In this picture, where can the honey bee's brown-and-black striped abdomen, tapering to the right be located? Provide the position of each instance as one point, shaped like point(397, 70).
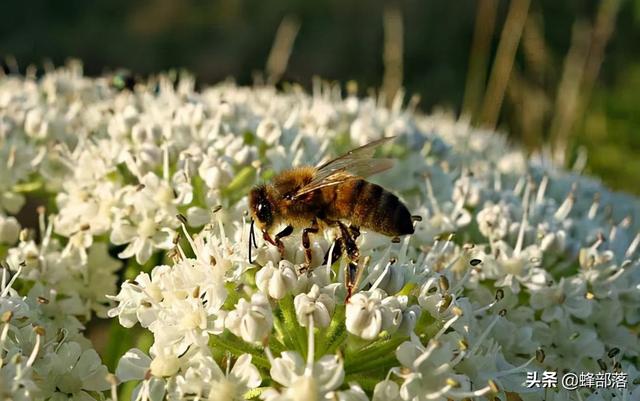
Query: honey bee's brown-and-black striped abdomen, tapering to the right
point(368, 206)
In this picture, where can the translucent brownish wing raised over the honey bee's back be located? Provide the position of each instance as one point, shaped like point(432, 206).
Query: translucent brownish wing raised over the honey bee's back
point(356, 163)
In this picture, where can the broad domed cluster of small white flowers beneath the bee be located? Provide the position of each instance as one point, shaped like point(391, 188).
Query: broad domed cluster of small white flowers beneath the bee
point(516, 265)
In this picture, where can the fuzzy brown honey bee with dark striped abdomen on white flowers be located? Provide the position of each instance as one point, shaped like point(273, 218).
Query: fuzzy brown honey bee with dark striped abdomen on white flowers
point(326, 196)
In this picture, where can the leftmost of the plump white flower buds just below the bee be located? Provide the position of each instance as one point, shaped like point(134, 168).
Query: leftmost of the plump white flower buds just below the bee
point(251, 320)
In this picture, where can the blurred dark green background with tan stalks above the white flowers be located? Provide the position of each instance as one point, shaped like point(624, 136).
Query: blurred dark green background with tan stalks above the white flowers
point(560, 77)
